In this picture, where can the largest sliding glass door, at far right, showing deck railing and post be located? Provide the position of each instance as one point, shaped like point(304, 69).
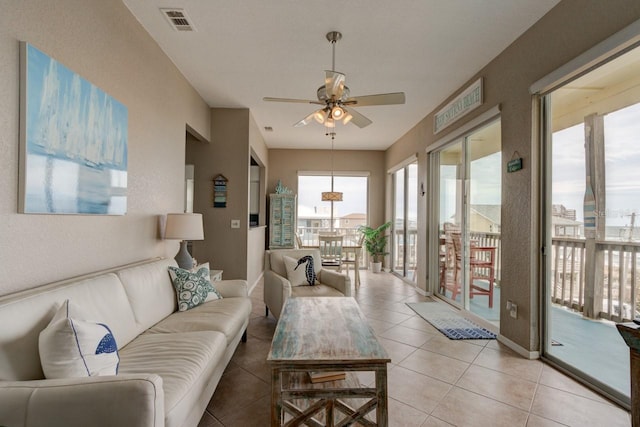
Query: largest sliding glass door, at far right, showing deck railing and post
point(593, 184)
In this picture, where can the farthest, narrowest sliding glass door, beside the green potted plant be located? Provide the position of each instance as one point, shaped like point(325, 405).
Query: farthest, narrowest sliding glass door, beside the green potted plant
point(405, 221)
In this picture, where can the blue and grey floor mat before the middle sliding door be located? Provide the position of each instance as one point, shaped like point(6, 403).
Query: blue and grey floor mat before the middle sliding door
point(450, 323)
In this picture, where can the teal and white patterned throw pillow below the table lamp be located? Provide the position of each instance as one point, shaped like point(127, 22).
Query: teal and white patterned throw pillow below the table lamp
point(192, 288)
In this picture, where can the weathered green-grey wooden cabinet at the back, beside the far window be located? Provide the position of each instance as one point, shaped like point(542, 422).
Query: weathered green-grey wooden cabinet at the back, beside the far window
point(282, 221)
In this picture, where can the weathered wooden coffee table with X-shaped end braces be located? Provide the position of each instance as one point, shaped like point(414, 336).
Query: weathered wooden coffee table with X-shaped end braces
point(325, 334)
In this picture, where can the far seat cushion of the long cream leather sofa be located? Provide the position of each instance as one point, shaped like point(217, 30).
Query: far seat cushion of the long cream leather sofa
point(226, 315)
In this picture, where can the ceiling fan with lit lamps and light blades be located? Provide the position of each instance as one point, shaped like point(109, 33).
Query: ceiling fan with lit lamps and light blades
point(334, 96)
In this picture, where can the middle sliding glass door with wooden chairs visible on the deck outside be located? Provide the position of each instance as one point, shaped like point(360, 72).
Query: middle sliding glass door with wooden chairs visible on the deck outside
point(467, 174)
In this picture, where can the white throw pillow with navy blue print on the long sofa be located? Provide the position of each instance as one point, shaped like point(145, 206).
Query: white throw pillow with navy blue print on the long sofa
point(71, 346)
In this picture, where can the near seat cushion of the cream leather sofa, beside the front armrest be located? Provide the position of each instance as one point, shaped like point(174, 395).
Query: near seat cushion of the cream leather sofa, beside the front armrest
point(185, 361)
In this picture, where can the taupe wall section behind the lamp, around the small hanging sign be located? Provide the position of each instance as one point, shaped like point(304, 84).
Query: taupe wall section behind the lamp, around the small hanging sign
point(234, 137)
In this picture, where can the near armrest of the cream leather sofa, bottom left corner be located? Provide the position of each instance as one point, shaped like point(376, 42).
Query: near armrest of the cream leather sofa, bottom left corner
point(118, 400)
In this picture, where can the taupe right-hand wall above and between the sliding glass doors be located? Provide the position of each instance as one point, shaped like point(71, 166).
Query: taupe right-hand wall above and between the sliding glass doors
point(565, 32)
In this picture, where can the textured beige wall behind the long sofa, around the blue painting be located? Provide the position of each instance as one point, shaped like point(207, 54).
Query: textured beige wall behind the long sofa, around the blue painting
point(103, 42)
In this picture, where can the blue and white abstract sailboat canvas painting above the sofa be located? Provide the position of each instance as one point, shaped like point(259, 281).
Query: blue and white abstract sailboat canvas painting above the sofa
point(73, 141)
